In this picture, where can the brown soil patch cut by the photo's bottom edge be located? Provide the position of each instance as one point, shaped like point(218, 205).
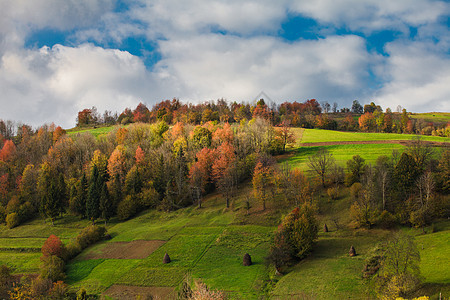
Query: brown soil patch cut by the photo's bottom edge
point(146, 292)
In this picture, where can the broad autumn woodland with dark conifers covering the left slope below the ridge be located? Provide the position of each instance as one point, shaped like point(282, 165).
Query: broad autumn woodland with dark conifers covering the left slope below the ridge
point(130, 169)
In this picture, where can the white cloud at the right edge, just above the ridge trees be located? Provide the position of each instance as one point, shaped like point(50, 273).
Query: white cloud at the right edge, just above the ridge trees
point(417, 78)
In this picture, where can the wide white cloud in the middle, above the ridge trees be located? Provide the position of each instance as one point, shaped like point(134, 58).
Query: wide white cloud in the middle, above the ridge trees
point(214, 66)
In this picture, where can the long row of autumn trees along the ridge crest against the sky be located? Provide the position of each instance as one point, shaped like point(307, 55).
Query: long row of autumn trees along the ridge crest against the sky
point(309, 114)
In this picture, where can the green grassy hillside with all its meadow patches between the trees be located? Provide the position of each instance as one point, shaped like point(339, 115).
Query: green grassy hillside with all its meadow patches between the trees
point(208, 245)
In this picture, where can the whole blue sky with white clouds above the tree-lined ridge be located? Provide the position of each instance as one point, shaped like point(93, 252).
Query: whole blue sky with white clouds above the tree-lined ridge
point(59, 57)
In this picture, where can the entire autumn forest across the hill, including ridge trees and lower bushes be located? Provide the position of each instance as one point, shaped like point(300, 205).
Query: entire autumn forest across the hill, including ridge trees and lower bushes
point(174, 155)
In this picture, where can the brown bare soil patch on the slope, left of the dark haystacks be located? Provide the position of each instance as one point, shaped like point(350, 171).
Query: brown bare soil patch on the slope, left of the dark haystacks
point(127, 250)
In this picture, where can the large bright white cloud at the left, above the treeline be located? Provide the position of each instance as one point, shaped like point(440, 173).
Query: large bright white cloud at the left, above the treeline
point(52, 85)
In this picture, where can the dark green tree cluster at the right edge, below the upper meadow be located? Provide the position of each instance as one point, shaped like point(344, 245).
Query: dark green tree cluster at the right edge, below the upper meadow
point(406, 189)
